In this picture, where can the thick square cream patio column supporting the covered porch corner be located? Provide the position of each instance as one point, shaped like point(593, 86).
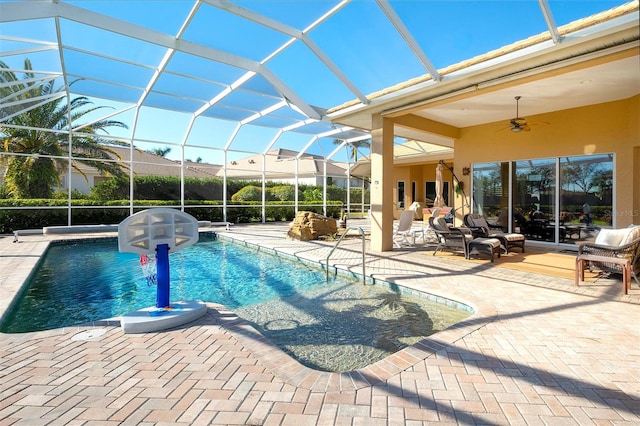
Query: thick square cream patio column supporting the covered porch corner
point(381, 183)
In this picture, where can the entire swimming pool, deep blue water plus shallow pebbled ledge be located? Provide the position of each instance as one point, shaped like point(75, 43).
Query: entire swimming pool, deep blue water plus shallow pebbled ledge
point(338, 325)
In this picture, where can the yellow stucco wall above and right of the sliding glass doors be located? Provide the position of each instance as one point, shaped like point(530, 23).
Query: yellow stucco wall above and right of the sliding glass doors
point(612, 127)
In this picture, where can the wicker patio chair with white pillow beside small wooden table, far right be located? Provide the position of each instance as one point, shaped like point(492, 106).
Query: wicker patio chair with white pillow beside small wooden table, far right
point(622, 245)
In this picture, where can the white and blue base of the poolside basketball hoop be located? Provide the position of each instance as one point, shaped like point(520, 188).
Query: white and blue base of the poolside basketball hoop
point(155, 319)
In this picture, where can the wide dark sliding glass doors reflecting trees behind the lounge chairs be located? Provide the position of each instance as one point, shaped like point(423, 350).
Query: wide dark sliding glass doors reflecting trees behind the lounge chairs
point(548, 197)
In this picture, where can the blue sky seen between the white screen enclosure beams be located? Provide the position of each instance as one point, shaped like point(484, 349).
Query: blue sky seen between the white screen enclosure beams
point(358, 39)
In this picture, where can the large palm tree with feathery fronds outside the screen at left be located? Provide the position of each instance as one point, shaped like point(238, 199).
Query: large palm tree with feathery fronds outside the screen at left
point(38, 157)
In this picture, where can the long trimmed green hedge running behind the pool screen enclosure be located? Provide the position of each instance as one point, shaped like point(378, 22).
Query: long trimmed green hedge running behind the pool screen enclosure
point(150, 191)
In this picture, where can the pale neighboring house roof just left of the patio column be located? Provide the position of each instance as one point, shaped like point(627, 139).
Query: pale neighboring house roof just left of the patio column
point(281, 164)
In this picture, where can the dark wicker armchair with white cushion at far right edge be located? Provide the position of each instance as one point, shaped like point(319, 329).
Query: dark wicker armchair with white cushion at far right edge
point(621, 243)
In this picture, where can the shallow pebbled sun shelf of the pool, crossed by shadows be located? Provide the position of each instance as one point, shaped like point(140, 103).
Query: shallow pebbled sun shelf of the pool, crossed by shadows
point(342, 327)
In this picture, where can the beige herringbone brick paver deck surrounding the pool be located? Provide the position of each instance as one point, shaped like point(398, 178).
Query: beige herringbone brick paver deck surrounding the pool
point(538, 350)
